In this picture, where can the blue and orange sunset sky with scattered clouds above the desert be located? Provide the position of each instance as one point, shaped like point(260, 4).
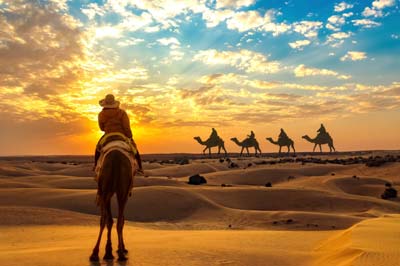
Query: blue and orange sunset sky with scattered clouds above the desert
point(180, 68)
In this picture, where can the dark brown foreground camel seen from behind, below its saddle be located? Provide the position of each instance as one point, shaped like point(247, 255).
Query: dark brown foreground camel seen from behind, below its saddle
point(115, 177)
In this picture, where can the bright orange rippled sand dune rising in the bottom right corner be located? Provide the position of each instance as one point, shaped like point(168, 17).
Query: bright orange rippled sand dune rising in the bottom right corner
point(369, 243)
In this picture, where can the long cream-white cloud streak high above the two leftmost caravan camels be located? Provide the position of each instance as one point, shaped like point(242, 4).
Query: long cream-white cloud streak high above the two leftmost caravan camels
point(246, 60)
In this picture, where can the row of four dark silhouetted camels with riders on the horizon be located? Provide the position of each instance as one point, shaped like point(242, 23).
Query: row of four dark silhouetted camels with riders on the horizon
point(250, 141)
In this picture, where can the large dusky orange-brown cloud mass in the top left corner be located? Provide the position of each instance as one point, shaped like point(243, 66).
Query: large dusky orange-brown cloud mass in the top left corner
point(41, 49)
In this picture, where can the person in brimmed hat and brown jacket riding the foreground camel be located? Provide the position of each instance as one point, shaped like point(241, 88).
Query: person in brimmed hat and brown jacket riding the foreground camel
point(112, 119)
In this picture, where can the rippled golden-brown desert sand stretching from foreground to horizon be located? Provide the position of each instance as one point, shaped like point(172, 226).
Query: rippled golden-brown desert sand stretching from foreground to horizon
point(313, 214)
